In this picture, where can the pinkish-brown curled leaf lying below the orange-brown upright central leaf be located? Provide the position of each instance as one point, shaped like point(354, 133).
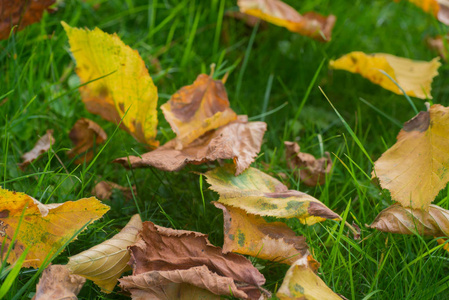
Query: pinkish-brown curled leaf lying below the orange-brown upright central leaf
point(239, 141)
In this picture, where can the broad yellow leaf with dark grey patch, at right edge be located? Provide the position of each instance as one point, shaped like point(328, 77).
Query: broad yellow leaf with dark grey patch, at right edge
point(414, 169)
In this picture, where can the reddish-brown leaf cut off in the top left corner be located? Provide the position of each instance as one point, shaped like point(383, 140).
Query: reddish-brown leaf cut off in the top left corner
point(21, 13)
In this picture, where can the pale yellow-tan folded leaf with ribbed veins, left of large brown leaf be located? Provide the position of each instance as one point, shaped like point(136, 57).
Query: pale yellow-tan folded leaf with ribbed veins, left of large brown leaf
point(105, 262)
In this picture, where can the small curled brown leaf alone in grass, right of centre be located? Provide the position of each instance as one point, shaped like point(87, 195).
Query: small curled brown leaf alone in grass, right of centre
point(312, 171)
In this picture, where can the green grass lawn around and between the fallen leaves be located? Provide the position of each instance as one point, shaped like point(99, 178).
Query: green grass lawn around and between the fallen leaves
point(271, 78)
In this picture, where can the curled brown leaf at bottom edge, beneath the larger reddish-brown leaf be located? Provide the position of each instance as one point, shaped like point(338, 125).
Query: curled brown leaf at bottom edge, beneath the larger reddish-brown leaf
point(191, 284)
